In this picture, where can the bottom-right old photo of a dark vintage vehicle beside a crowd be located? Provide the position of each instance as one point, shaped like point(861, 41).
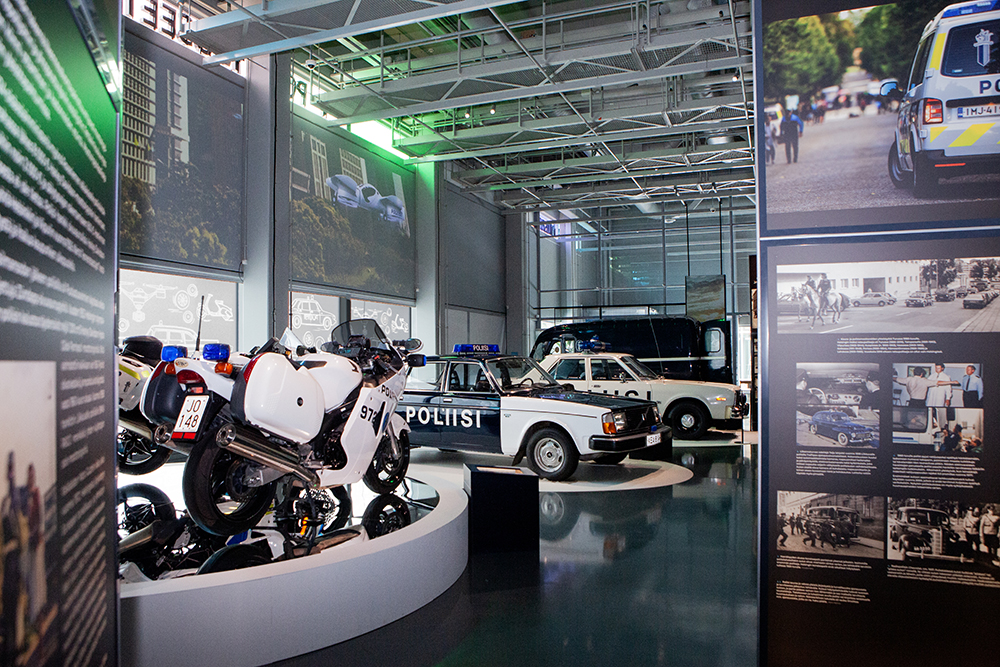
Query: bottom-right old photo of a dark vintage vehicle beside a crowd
point(944, 530)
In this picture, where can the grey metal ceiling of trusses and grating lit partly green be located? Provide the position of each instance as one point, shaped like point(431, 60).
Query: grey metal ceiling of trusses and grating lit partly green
point(541, 103)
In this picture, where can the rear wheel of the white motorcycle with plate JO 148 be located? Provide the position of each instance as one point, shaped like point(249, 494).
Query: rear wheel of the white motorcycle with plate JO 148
point(214, 491)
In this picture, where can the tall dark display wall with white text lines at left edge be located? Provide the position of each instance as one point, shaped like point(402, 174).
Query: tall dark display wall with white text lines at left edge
point(57, 276)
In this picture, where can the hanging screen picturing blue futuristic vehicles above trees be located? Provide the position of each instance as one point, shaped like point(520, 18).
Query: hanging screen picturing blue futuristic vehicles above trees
point(351, 213)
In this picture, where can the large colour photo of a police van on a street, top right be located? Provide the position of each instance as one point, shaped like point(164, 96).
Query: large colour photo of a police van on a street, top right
point(888, 112)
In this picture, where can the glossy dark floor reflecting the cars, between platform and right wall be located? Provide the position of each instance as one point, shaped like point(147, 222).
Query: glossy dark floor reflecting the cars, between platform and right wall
point(648, 577)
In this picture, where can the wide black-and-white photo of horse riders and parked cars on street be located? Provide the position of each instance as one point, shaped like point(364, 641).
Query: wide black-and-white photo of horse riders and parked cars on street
point(894, 296)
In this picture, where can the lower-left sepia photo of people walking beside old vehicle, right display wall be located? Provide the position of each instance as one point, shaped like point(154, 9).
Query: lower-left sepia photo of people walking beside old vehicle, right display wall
point(816, 523)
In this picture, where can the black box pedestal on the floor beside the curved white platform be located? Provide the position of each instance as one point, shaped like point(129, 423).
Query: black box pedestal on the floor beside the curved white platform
point(503, 509)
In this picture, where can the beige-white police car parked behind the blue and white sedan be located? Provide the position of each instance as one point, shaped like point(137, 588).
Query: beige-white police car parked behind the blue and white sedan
point(687, 406)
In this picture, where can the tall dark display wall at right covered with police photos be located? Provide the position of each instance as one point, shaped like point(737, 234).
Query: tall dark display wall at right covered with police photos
point(879, 163)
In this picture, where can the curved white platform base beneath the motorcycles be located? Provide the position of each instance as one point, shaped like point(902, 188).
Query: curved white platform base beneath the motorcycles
point(273, 612)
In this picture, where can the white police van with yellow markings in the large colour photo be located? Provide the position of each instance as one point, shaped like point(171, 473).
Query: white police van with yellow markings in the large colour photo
point(950, 108)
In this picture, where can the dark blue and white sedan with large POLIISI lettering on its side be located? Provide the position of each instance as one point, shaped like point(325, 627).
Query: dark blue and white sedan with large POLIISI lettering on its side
point(481, 401)
